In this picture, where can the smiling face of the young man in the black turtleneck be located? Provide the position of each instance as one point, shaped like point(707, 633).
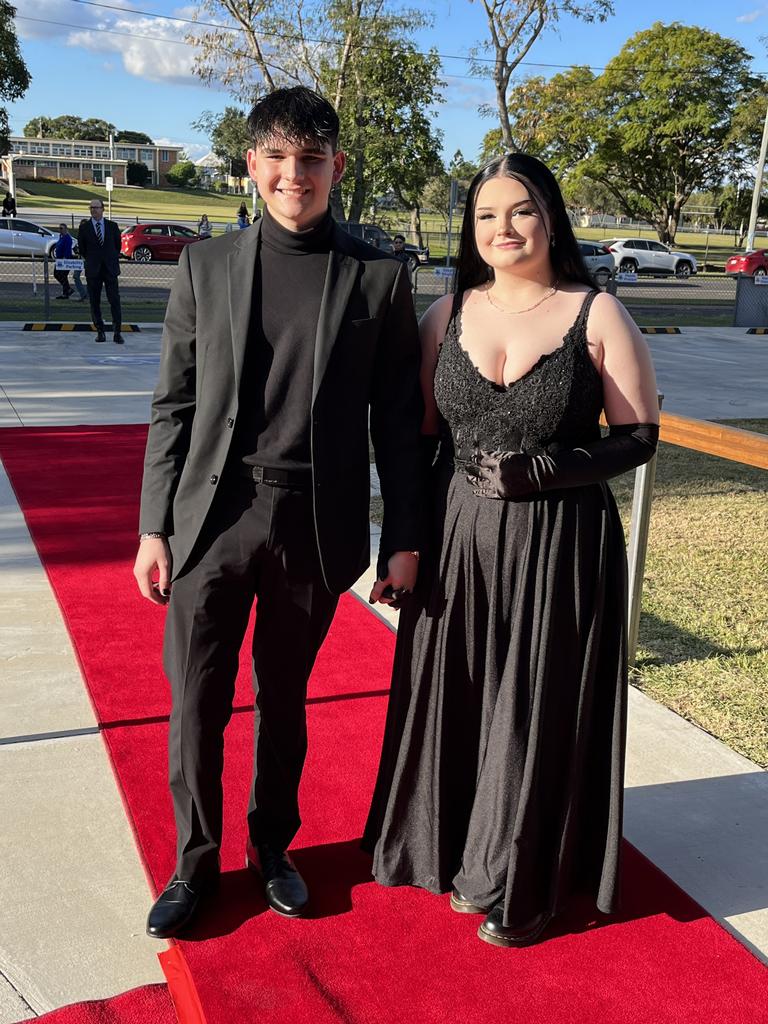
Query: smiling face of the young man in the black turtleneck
point(295, 181)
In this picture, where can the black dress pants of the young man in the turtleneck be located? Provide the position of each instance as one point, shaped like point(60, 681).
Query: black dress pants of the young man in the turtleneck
point(260, 543)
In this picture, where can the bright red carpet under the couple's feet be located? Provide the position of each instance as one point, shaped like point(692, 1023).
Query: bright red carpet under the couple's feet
point(368, 954)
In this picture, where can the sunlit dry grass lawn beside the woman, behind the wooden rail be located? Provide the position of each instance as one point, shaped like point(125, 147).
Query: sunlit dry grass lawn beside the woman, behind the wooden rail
point(704, 632)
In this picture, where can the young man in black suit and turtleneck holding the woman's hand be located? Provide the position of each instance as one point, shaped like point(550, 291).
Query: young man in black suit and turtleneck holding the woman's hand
point(281, 344)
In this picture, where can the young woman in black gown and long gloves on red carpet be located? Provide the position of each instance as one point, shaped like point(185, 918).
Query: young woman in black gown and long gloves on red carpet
point(502, 766)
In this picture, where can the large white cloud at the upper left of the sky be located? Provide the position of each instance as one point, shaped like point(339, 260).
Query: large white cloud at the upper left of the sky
point(164, 58)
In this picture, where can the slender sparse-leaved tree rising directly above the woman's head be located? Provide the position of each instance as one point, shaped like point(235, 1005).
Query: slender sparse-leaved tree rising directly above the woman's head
point(514, 28)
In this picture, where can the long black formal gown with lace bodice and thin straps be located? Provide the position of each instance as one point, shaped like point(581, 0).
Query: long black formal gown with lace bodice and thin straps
point(503, 756)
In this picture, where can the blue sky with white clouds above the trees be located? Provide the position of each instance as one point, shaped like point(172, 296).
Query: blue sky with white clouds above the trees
point(79, 67)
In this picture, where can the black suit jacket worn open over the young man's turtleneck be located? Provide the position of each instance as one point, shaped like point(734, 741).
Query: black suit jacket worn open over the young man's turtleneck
point(366, 370)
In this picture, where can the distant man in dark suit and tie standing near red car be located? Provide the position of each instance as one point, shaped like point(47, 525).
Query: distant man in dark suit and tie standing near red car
point(99, 244)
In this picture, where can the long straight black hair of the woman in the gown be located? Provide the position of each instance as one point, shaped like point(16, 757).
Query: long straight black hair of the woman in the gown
point(566, 255)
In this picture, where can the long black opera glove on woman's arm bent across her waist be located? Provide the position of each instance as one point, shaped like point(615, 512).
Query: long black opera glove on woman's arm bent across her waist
point(511, 476)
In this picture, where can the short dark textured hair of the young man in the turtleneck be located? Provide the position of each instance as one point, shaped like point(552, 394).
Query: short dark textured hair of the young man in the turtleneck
point(297, 115)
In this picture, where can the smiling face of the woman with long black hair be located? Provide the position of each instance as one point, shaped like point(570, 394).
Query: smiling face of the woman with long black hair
point(513, 232)
